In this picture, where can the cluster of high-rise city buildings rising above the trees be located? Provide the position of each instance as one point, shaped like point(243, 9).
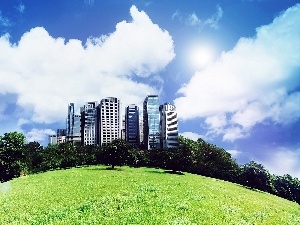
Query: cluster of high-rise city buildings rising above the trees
point(100, 123)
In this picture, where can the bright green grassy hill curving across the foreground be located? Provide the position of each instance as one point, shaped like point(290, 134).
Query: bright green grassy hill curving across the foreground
point(94, 195)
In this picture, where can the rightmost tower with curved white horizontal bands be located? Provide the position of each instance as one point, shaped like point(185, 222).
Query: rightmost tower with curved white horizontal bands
point(168, 126)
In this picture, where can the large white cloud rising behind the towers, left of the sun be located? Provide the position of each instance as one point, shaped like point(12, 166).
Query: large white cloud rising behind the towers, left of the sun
point(47, 73)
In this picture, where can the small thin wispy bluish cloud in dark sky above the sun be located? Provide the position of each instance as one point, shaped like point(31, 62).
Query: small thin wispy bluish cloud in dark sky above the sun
point(194, 21)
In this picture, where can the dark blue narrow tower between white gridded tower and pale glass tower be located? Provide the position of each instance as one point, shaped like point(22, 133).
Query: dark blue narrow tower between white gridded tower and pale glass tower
point(132, 125)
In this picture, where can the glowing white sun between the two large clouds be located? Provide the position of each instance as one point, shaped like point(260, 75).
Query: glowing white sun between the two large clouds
point(200, 56)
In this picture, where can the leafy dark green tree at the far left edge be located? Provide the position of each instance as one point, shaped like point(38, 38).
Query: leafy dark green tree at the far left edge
point(11, 155)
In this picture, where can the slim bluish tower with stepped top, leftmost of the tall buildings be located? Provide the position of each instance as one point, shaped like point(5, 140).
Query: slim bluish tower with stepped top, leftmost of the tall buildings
point(73, 125)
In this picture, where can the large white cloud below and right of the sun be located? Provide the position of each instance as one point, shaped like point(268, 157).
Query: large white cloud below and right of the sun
point(255, 82)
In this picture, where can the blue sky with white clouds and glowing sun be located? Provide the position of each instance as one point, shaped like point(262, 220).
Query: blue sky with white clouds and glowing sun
point(231, 67)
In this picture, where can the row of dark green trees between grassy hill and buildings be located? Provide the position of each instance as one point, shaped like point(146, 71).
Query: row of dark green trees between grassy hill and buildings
point(18, 158)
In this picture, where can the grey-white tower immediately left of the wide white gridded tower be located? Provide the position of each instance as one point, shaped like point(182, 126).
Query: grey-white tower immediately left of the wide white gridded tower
point(89, 128)
